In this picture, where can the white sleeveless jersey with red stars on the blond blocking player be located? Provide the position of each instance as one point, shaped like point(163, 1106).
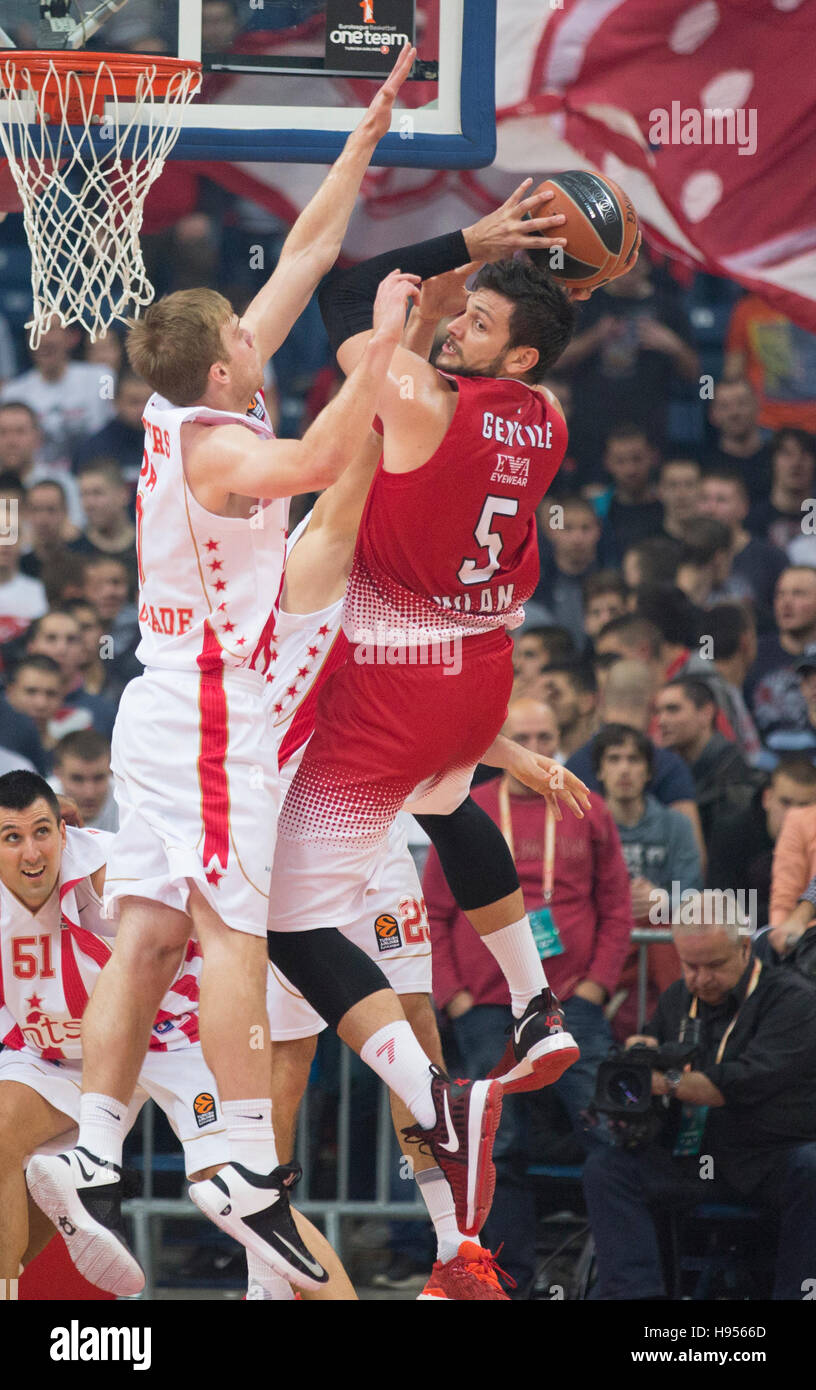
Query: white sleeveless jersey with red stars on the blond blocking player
point(208, 584)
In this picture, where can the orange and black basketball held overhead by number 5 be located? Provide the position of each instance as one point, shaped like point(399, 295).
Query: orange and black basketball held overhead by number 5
point(601, 230)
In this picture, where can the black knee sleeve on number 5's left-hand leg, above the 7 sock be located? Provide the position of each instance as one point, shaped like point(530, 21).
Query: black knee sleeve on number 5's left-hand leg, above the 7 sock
point(329, 970)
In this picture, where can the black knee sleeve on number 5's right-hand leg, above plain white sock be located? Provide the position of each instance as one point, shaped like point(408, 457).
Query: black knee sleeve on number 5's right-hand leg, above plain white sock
point(475, 856)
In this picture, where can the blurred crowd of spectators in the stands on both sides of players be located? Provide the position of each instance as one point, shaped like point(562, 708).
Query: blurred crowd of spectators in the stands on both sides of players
point(668, 657)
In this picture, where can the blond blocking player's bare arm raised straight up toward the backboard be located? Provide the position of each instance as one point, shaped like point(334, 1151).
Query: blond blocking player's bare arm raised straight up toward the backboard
point(316, 238)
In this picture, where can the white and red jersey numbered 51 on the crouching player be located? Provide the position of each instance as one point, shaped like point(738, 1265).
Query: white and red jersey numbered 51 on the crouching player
point(51, 963)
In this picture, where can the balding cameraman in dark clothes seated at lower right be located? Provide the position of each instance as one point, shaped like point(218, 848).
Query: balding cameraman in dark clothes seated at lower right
point(747, 1106)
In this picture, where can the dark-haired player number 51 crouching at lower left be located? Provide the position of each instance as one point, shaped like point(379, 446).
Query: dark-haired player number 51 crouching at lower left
point(54, 943)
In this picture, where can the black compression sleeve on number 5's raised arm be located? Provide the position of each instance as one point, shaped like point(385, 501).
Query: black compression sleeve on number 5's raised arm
point(347, 297)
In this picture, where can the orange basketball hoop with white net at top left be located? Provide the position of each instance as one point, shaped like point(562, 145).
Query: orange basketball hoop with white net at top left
point(83, 174)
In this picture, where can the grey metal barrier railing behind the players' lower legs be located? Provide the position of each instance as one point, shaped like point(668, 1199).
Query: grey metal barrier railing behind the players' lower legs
point(148, 1211)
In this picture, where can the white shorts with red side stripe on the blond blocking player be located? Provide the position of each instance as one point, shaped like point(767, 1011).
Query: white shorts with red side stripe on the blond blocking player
point(198, 789)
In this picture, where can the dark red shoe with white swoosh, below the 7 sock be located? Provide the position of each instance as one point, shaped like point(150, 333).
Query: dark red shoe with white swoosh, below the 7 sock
point(462, 1142)
